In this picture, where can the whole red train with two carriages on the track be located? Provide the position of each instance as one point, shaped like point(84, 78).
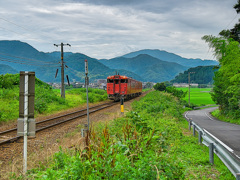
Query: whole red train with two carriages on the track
point(118, 86)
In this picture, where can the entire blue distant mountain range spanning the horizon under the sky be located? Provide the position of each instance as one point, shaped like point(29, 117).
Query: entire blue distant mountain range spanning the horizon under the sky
point(144, 65)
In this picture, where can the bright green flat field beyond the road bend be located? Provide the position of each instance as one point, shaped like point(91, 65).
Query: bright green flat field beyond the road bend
point(199, 96)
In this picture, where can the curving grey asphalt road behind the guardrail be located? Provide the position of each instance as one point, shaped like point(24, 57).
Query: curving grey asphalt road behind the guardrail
point(228, 133)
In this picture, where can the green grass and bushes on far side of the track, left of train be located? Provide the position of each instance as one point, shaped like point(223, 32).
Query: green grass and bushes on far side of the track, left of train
point(47, 100)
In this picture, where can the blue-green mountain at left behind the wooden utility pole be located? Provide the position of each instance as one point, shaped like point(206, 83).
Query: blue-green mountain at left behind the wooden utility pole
point(23, 57)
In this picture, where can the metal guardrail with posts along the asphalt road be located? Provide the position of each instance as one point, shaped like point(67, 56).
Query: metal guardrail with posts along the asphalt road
point(226, 154)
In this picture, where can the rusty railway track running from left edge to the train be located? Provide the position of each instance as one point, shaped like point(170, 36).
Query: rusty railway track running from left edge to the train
point(9, 136)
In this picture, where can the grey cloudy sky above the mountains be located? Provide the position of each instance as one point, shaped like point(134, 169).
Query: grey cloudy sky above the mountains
point(110, 28)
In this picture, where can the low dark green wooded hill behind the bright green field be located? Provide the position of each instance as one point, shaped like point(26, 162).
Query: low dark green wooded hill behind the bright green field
point(201, 75)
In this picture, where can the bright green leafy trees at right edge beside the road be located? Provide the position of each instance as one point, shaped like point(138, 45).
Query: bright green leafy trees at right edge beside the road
point(226, 91)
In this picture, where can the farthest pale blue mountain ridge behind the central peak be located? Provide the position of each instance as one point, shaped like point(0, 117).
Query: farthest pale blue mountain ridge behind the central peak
point(171, 57)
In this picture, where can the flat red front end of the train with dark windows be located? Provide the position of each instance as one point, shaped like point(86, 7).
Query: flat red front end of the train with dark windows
point(116, 86)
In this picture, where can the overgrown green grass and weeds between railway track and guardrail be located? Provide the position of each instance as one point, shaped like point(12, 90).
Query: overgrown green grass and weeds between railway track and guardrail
point(150, 142)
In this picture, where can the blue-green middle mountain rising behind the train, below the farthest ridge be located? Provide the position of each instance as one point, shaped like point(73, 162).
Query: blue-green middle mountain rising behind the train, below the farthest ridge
point(148, 67)
